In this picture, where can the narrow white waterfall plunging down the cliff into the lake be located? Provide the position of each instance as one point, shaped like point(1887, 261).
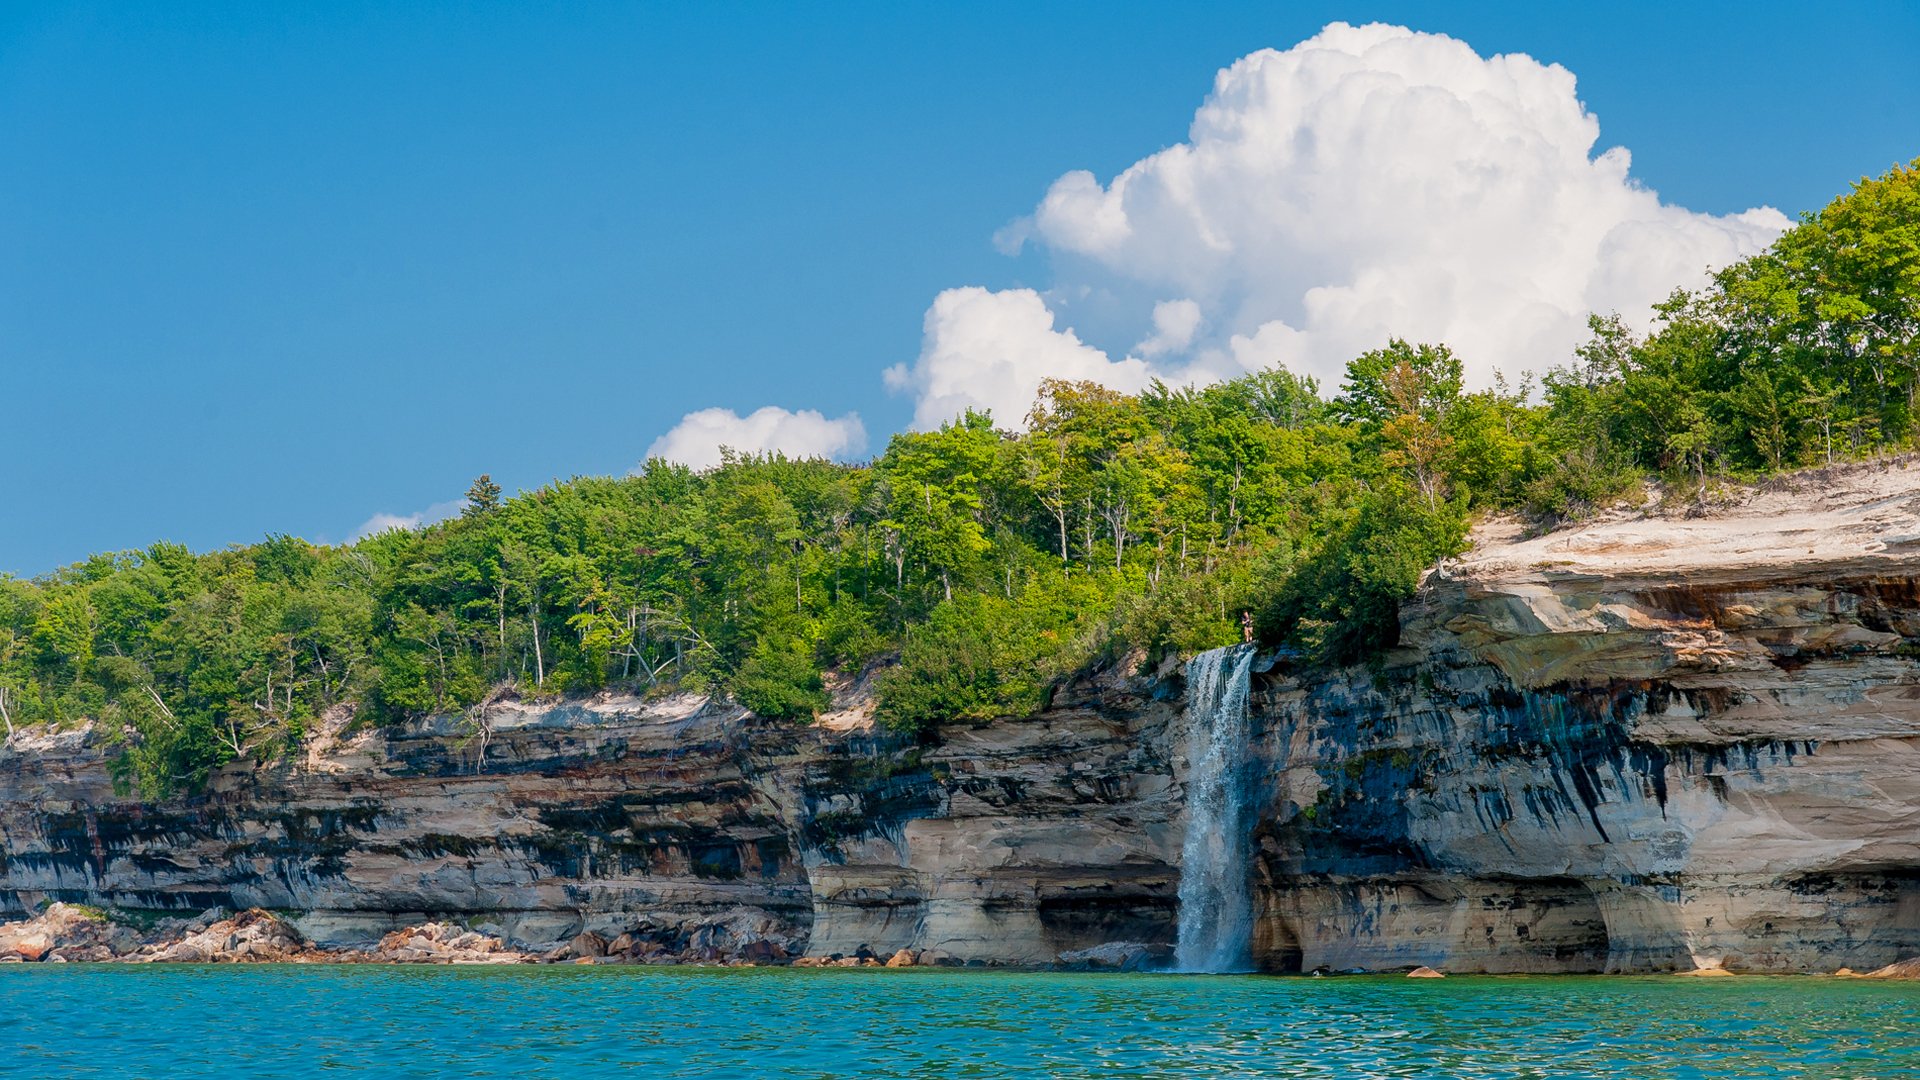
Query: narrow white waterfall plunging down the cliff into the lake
point(1216, 906)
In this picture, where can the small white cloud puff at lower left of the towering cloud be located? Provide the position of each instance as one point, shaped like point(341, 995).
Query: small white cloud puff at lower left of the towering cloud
point(990, 351)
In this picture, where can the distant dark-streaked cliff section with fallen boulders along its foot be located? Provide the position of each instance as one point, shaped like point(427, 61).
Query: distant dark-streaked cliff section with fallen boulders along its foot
point(613, 816)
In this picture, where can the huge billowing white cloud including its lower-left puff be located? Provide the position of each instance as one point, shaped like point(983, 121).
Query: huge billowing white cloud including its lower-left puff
point(1366, 184)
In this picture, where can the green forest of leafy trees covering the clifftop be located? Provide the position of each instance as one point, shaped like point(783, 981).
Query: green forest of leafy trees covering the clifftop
point(984, 564)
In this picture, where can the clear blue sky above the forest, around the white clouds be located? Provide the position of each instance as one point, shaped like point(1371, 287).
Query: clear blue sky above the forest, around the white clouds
point(279, 268)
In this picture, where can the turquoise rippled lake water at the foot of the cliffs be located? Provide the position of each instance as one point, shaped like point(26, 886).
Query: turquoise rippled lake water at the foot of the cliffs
point(577, 1023)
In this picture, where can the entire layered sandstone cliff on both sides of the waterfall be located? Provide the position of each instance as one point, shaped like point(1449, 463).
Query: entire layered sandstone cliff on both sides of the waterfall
point(1646, 745)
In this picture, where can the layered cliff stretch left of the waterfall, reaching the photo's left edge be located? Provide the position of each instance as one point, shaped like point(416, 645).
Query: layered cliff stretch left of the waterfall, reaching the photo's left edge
point(681, 823)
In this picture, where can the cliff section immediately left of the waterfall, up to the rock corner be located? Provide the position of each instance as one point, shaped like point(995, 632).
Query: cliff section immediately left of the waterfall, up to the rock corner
point(1026, 839)
